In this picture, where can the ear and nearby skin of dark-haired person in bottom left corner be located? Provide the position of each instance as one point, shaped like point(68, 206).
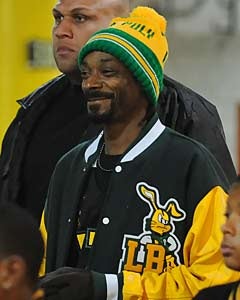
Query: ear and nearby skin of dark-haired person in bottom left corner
point(12, 272)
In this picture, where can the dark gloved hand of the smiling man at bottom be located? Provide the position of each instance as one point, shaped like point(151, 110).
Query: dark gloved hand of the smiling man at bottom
point(67, 283)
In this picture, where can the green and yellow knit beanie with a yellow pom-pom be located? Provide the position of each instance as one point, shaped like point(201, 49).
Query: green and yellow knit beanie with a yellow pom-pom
point(139, 42)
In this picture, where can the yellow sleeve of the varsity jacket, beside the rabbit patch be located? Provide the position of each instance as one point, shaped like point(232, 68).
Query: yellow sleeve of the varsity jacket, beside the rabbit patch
point(203, 263)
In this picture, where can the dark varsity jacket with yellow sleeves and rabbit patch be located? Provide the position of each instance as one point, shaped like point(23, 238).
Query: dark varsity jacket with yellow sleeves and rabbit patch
point(159, 226)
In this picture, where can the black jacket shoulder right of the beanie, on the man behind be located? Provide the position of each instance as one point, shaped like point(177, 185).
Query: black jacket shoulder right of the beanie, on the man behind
point(185, 111)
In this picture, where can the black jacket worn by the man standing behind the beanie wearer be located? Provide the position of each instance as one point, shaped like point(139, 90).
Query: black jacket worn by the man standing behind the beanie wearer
point(53, 119)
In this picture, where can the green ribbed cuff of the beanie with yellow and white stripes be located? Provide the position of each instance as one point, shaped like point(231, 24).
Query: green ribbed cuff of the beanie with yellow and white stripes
point(137, 57)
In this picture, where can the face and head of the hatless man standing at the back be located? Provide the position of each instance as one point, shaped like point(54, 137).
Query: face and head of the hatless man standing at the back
point(75, 22)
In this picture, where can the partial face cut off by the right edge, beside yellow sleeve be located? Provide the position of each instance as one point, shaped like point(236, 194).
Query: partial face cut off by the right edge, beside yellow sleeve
point(231, 230)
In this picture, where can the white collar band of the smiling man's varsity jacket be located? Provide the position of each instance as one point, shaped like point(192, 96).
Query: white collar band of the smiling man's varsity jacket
point(147, 137)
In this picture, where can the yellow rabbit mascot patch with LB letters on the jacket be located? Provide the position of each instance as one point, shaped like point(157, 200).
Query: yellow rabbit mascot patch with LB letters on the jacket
point(156, 248)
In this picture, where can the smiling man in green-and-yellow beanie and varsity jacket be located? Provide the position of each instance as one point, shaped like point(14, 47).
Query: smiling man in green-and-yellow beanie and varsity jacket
point(134, 213)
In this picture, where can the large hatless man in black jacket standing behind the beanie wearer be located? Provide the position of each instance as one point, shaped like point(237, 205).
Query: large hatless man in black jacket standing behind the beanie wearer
point(53, 119)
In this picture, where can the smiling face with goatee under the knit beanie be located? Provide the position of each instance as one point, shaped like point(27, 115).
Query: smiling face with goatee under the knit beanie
point(113, 95)
